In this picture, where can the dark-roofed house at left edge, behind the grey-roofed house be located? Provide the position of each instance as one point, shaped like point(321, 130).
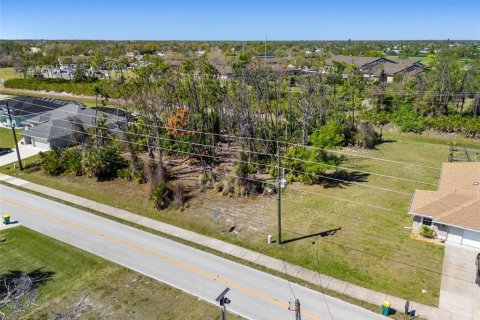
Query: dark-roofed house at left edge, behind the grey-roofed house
point(24, 108)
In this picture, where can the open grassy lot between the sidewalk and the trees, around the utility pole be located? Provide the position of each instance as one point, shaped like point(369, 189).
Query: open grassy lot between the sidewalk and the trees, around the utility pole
point(373, 248)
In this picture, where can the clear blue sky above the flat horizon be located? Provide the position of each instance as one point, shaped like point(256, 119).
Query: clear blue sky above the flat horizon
point(239, 20)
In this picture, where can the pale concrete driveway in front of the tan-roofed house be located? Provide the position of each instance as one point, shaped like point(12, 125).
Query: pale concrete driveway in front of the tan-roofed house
point(458, 292)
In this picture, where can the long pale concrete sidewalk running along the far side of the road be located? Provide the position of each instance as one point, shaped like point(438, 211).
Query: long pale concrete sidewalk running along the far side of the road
point(354, 291)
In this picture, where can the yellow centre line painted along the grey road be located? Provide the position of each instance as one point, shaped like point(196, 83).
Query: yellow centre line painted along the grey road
point(172, 261)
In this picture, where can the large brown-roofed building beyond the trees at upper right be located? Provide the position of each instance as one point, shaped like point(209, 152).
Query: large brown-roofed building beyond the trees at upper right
point(376, 68)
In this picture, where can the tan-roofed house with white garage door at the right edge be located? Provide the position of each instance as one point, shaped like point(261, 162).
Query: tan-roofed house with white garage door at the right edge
point(453, 211)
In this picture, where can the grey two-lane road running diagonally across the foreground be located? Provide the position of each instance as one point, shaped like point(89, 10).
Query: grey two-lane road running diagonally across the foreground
point(253, 294)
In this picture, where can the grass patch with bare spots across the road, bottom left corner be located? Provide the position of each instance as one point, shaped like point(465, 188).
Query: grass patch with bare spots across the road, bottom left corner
point(112, 291)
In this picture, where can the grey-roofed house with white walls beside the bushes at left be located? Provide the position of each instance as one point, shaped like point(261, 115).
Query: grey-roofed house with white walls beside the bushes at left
point(64, 126)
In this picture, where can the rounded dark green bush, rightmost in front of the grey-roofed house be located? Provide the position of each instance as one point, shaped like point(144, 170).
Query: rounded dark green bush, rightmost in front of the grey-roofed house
point(102, 163)
